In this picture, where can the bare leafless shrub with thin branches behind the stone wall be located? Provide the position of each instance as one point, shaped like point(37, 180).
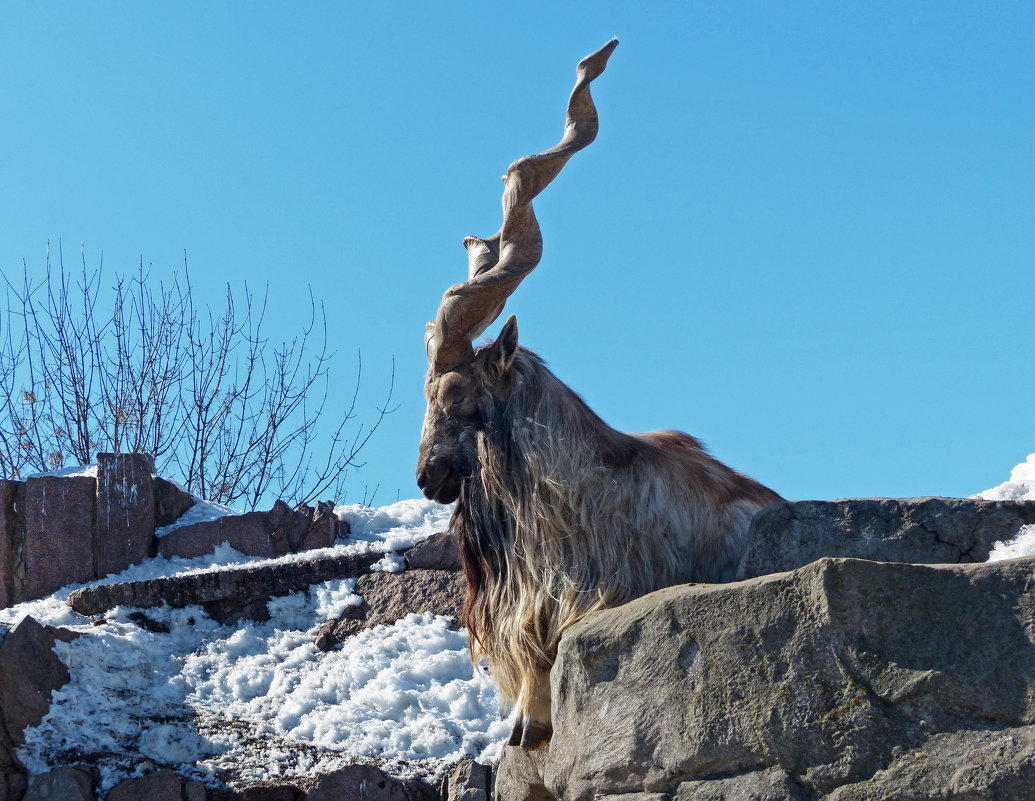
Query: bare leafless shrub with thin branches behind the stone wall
point(234, 417)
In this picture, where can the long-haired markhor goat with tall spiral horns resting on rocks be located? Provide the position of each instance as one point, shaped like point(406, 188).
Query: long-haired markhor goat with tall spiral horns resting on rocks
point(558, 515)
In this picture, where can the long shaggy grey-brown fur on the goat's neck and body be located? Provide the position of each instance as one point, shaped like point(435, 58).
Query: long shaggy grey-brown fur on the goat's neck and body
point(566, 516)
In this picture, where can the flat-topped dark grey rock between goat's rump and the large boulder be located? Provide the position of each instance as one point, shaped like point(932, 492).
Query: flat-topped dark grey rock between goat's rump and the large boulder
point(788, 536)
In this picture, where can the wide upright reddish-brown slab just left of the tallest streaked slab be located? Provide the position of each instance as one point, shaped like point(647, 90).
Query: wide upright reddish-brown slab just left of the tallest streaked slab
point(60, 526)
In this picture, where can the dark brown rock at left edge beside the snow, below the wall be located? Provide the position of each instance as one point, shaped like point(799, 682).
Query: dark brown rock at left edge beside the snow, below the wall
point(29, 673)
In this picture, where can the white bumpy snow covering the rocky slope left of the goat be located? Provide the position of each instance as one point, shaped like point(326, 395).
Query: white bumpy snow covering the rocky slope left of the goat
point(259, 701)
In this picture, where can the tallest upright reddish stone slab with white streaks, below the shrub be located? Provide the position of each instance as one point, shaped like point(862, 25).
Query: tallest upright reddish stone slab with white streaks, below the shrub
point(125, 530)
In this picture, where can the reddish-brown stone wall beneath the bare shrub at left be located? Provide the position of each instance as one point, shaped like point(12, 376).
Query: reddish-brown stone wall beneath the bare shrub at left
point(61, 530)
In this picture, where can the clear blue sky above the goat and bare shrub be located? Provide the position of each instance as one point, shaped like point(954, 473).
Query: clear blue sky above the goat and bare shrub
point(806, 233)
